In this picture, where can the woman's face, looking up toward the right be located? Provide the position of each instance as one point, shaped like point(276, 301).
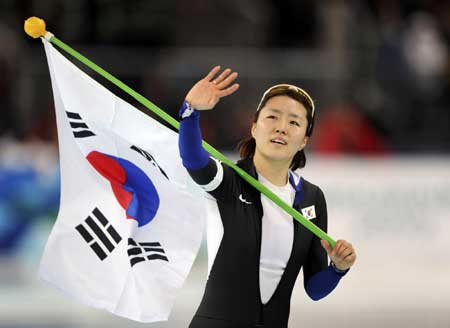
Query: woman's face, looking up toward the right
point(280, 129)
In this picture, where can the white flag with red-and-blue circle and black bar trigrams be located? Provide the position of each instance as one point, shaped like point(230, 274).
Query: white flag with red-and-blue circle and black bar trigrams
point(129, 227)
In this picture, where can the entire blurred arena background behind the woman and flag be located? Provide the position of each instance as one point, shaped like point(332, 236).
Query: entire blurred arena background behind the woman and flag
point(379, 72)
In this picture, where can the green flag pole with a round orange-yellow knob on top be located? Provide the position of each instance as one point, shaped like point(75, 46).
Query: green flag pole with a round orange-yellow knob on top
point(35, 27)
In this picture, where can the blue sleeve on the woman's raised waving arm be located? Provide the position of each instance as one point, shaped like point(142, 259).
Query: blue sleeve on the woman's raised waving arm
point(193, 155)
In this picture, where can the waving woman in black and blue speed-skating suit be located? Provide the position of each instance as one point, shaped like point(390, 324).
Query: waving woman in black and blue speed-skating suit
point(262, 249)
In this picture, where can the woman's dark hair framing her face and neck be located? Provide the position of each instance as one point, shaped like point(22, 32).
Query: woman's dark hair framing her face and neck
point(247, 146)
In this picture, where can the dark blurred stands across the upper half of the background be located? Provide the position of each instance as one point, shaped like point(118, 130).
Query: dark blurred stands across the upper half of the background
point(396, 52)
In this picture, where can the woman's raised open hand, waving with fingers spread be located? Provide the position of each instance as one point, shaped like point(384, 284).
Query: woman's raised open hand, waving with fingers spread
point(206, 93)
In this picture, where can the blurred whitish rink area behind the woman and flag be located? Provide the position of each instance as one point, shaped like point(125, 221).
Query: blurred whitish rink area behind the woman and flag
point(394, 210)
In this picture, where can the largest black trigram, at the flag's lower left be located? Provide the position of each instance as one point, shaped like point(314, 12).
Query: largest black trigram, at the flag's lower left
point(99, 236)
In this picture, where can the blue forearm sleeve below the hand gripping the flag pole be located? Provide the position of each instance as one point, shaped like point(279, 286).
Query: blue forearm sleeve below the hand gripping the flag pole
point(323, 282)
